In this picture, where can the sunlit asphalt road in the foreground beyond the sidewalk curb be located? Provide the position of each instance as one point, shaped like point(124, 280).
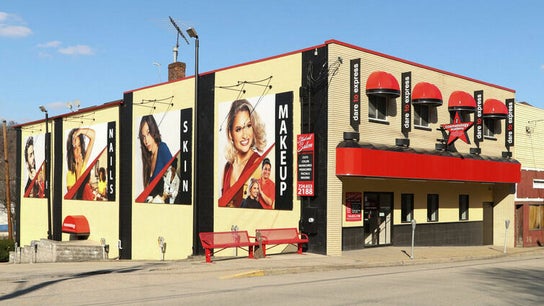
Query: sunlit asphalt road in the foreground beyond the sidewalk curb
point(499, 281)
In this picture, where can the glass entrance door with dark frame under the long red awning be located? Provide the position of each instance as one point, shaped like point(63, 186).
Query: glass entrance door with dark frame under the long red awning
point(378, 207)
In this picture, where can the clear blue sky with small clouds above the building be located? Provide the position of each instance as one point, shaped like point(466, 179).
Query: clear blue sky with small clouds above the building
point(55, 52)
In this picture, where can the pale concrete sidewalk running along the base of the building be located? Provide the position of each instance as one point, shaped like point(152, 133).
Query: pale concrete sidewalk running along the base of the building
point(285, 263)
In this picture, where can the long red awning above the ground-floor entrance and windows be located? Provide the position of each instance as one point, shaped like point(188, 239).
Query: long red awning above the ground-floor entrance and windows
point(369, 162)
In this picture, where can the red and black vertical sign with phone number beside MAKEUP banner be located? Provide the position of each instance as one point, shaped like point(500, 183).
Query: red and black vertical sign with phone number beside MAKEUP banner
point(305, 157)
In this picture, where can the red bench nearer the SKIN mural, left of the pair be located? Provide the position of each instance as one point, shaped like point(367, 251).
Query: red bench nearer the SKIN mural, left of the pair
point(223, 240)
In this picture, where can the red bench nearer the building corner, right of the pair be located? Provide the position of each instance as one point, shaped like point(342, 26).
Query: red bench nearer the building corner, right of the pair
point(277, 236)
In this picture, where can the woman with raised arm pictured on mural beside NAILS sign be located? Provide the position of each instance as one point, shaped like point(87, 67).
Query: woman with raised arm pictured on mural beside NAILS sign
point(77, 157)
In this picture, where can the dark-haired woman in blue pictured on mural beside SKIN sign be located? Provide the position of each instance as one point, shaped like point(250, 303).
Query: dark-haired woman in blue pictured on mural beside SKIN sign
point(155, 153)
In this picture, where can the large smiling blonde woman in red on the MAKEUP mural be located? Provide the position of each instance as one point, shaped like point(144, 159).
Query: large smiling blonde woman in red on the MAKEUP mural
point(246, 142)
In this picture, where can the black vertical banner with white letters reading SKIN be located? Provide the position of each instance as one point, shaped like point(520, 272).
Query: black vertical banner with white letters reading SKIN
point(185, 157)
